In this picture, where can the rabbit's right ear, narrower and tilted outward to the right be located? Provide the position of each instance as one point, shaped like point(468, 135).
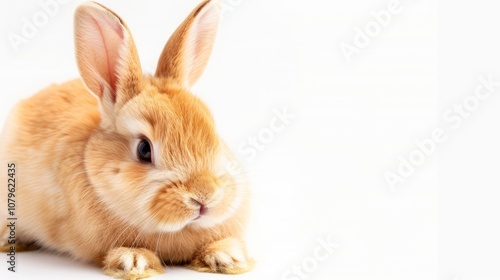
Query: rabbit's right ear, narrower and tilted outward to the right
point(186, 53)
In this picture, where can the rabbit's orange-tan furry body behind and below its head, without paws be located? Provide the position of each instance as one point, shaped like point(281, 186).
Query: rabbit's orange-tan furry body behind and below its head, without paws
point(52, 182)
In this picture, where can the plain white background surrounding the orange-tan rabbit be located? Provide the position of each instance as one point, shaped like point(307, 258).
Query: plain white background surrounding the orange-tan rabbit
point(323, 175)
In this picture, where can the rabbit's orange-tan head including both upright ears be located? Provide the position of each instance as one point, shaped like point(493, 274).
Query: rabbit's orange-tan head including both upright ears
point(156, 161)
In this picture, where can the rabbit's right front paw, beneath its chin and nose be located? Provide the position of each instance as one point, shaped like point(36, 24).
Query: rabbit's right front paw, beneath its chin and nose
point(226, 256)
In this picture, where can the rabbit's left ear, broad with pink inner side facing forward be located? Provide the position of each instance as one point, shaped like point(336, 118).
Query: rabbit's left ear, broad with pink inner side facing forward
point(106, 55)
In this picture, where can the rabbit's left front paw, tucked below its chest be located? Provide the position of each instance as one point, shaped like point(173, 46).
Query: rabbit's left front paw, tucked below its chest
point(132, 263)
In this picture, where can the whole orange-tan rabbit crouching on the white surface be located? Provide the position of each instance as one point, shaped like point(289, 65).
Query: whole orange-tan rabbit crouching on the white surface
point(124, 169)
